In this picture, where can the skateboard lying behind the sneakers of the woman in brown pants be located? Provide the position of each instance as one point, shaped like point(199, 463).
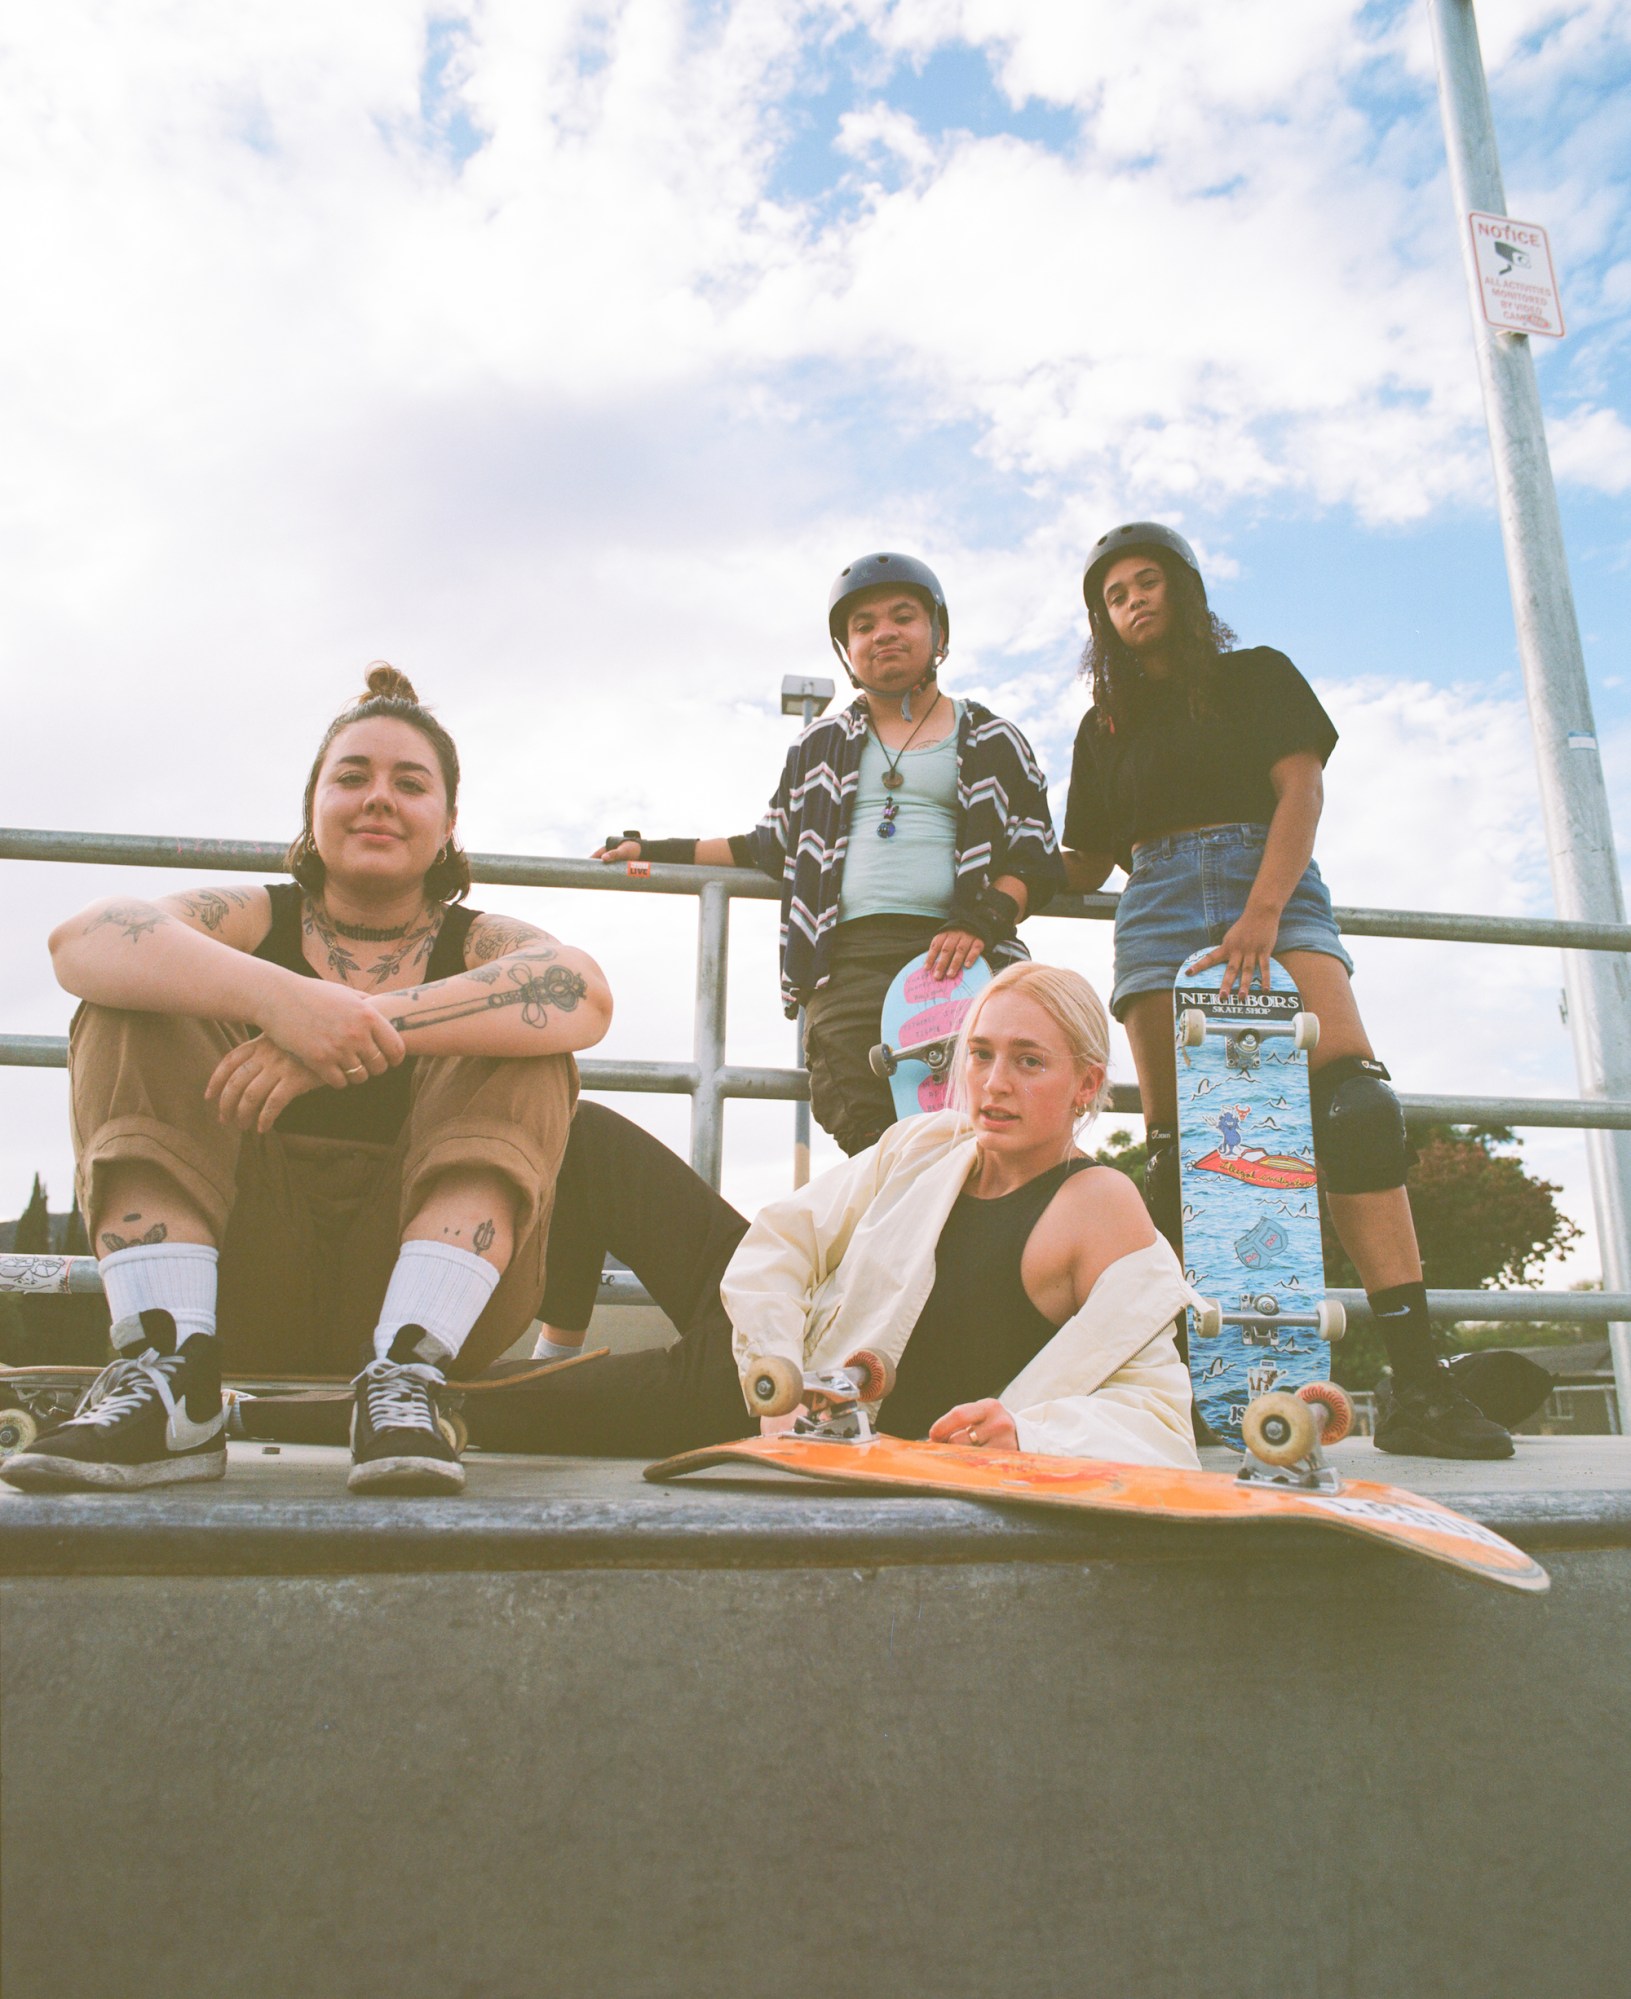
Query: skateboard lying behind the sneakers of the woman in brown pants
point(273, 1408)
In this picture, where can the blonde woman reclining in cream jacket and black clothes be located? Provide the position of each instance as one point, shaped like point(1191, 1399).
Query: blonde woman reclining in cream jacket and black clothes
point(1022, 1290)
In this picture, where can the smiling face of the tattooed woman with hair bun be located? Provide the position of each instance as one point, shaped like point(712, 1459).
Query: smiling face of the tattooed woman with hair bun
point(381, 807)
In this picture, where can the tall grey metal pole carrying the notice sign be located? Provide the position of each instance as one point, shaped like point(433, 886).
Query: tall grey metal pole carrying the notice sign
point(1574, 797)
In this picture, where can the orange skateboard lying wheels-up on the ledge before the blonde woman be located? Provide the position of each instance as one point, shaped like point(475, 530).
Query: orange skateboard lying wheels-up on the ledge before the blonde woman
point(1284, 1476)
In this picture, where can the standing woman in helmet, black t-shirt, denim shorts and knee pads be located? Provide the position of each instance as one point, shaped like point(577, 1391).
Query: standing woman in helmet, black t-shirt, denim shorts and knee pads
point(1200, 771)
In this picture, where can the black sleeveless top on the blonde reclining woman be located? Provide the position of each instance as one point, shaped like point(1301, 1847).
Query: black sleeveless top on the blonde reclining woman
point(978, 1326)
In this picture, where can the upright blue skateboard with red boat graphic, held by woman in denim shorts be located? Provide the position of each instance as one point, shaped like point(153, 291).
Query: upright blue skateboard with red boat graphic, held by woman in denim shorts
point(1250, 1198)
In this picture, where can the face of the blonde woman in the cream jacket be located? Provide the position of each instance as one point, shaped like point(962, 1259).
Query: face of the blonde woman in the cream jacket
point(1022, 1080)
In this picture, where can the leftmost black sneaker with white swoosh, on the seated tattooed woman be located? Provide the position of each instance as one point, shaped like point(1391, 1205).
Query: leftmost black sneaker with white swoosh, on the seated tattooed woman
point(151, 1418)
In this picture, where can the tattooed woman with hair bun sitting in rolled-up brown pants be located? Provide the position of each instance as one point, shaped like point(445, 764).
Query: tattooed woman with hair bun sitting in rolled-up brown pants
point(315, 1122)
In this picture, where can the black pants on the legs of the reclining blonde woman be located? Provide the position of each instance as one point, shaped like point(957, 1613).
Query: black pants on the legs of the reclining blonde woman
point(625, 1192)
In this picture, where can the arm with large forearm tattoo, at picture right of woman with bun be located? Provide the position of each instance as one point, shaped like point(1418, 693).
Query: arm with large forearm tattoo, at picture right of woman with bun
point(523, 995)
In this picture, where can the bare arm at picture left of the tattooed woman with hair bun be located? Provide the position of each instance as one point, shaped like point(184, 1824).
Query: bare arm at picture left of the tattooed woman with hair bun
point(191, 955)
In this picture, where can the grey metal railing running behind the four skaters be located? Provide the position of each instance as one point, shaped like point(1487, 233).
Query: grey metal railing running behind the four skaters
point(709, 1080)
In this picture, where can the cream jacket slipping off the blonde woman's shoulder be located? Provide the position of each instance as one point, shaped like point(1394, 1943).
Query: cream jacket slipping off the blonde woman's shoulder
point(850, 1262)
